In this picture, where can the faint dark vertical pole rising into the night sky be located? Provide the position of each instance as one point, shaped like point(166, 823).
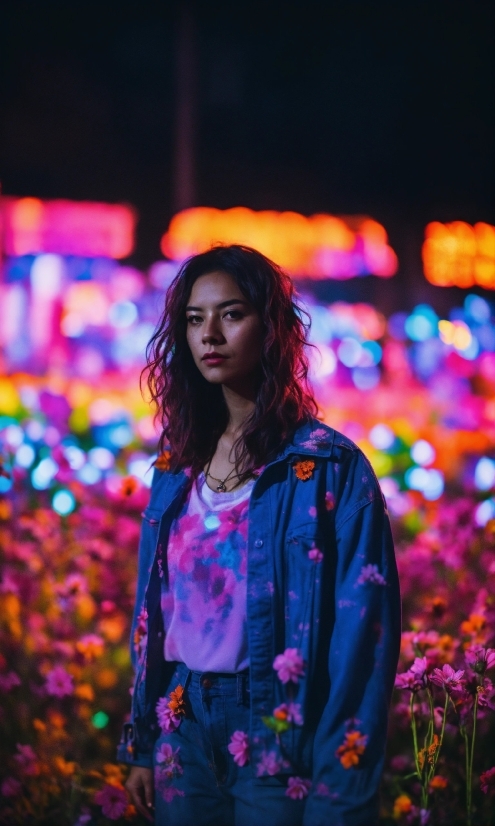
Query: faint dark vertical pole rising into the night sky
point(184, 155)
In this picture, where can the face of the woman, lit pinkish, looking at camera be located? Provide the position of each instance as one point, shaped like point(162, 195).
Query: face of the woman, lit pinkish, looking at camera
point(224, 332)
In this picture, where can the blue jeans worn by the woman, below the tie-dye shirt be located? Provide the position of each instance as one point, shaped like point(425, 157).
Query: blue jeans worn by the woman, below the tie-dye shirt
point(197, 782)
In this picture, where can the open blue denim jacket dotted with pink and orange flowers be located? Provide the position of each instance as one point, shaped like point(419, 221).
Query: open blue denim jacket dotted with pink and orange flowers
point(338, 606)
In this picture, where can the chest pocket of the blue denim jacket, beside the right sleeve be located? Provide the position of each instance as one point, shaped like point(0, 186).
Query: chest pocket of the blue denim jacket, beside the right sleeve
point(303, 559)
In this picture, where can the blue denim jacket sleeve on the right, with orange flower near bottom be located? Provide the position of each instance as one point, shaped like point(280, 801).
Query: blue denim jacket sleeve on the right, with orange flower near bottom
point(350, 739)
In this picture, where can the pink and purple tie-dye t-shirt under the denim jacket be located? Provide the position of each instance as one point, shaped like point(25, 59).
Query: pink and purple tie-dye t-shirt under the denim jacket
point(204, 606)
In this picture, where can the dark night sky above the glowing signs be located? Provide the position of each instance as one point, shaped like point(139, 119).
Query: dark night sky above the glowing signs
point(383, 108)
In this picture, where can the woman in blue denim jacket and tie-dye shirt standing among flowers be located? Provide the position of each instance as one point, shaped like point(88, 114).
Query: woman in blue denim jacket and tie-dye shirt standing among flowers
point(266, 630)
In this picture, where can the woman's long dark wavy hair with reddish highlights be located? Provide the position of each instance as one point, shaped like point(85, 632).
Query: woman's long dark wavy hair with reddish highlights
point(192, 411)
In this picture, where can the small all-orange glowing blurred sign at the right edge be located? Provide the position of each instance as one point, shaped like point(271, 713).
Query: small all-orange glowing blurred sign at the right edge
point(460, 255)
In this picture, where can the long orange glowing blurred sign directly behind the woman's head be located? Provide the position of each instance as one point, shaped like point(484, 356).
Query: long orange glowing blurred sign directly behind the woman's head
point(321, 246)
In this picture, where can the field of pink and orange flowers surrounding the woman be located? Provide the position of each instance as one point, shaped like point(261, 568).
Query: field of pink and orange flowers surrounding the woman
point(74, 477)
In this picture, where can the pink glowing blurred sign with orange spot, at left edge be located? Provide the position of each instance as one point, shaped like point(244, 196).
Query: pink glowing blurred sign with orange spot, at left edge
point(91, 230)
